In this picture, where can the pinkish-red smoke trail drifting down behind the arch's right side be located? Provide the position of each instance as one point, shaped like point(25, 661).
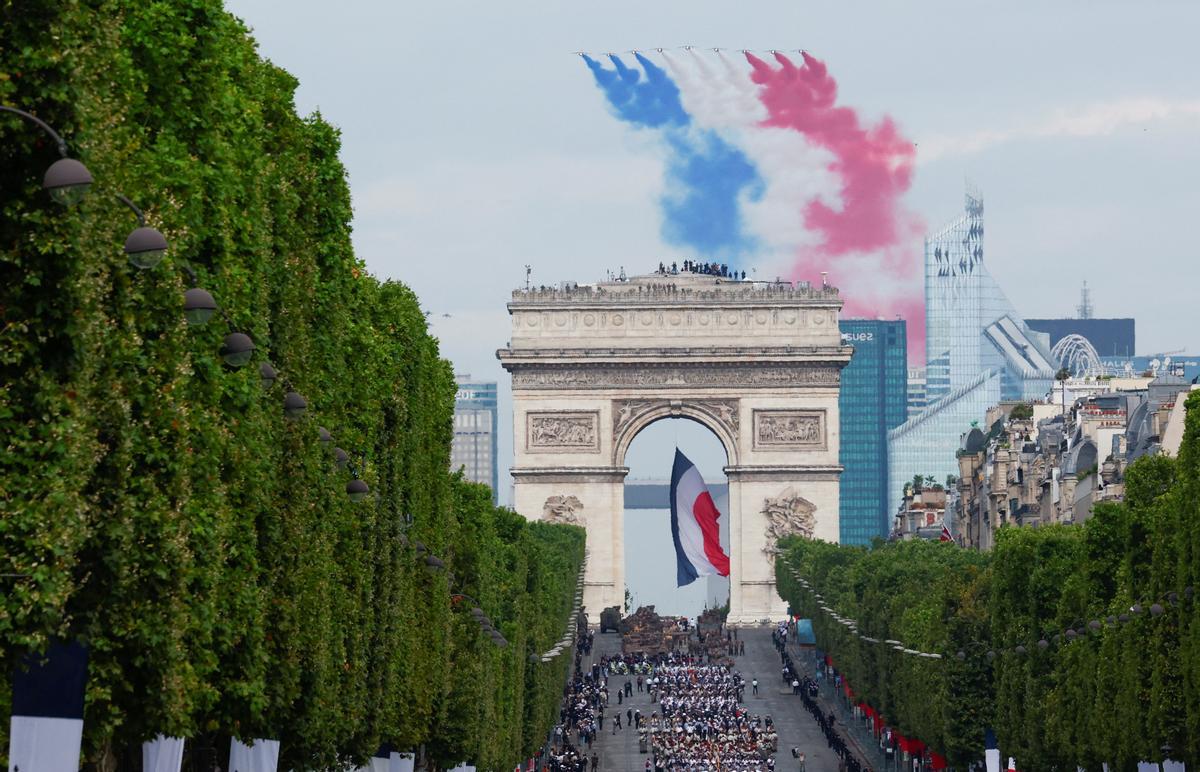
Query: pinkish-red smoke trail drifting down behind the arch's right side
point(875, 166)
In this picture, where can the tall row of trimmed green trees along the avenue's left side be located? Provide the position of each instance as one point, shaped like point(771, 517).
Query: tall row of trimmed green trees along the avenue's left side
point(158, 506)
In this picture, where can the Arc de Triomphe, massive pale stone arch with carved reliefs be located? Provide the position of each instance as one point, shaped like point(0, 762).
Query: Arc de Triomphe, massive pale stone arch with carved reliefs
point(759, 364)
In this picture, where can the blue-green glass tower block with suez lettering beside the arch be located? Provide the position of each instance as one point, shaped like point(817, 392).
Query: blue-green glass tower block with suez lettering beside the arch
point(874, 399)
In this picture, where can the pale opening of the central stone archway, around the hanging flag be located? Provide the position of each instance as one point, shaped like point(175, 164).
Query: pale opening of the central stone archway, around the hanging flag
point(650, 549)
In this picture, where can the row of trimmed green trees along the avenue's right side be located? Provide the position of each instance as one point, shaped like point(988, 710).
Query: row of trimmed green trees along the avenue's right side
point(1076, 693)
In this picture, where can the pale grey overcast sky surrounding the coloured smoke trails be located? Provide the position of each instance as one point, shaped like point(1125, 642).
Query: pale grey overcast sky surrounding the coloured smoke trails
point(477, 143)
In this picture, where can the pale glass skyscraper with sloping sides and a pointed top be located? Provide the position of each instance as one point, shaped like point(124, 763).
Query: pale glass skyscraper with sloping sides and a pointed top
point(979, 350)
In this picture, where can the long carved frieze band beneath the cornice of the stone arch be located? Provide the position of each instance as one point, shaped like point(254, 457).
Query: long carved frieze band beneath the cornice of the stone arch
point(673, 376)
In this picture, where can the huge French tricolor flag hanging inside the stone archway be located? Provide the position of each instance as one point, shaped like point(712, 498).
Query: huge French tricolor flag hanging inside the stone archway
point(694, 525)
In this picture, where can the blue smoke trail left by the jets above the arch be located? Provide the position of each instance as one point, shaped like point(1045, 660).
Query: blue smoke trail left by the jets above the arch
point(706, 176)
